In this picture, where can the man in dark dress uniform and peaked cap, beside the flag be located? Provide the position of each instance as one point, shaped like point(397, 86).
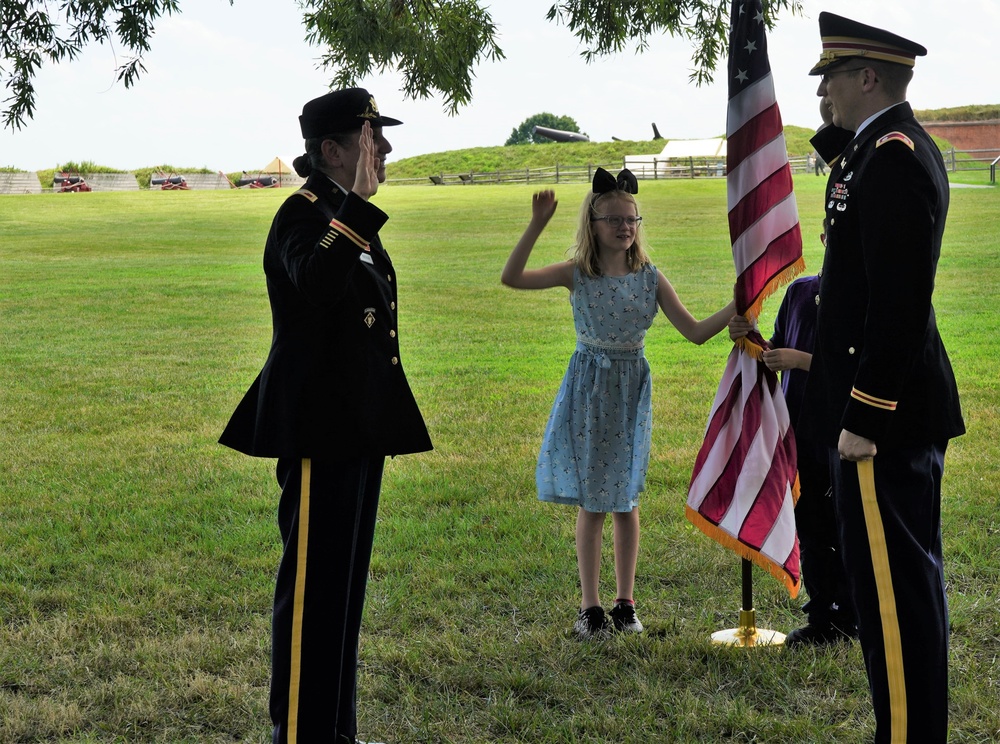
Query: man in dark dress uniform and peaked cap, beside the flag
point(881, 392)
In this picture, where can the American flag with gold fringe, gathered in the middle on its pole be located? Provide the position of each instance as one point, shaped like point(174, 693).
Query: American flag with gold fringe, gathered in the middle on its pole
point(743, 487)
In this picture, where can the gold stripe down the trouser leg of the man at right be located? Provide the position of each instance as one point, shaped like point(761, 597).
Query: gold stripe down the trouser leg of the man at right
point(886, 603)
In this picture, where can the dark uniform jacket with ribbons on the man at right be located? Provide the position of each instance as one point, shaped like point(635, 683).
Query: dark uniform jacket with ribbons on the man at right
point(879, 368)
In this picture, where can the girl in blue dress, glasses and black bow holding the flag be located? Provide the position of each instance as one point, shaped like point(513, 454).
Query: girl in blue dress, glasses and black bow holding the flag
point(596, 446)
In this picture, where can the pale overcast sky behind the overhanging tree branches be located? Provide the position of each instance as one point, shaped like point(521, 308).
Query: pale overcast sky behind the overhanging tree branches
point(224, 85)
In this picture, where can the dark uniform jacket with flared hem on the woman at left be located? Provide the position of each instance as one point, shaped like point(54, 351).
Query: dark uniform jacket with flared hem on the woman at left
point(333, 384)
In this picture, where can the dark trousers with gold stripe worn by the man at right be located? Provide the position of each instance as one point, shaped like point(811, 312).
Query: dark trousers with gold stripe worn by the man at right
point(889, 512)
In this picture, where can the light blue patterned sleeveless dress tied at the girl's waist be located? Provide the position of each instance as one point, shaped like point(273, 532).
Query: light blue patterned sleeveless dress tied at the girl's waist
point(596, 445)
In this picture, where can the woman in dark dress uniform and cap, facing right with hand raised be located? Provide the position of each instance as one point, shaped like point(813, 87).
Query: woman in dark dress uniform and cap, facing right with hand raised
point(330, 404)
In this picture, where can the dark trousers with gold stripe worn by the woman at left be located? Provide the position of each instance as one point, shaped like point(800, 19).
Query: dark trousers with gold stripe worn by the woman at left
point(327, 521)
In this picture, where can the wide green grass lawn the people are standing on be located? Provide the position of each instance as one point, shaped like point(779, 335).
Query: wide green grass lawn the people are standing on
point(137, 555)
